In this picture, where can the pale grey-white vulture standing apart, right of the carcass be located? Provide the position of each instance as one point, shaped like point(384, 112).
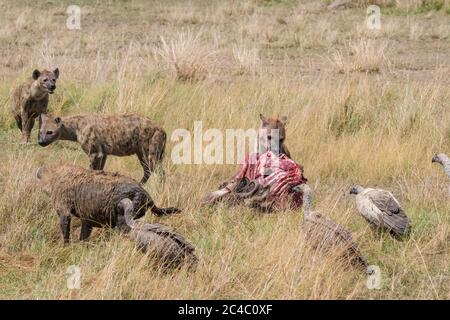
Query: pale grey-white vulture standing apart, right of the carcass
point(381, 209)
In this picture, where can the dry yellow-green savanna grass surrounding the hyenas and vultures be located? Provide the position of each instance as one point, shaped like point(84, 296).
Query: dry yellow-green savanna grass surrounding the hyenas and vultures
point(364, 106)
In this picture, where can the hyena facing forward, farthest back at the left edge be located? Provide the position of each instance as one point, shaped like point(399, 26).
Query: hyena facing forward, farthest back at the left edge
point(30, 100)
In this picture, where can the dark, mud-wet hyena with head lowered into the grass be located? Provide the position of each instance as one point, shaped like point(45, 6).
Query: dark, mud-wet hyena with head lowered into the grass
point(95, 197)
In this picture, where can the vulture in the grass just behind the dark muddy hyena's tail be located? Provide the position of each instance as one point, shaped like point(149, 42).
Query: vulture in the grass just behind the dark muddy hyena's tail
point(159, 241)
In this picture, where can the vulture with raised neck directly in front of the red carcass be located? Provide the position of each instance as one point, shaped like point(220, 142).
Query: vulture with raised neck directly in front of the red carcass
point(326, 235)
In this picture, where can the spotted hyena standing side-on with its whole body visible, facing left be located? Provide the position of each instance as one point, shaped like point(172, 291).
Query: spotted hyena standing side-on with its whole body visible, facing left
point(103, 135)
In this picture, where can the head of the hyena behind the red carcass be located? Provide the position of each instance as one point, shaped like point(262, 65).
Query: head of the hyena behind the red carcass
point(272, 133)
